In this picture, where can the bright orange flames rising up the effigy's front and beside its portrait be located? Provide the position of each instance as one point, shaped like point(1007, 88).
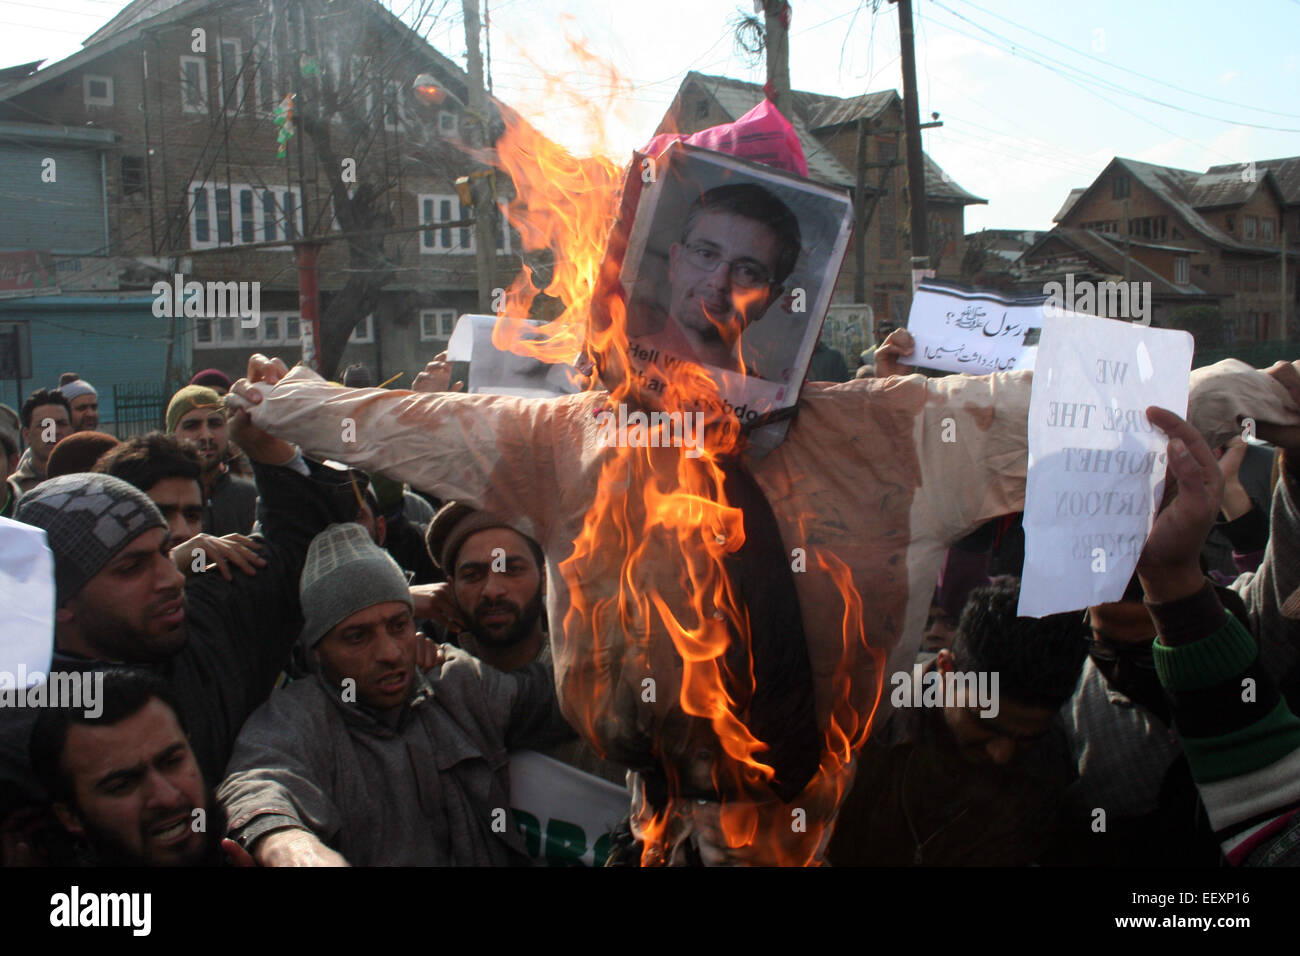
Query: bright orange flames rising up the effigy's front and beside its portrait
point(655, 503)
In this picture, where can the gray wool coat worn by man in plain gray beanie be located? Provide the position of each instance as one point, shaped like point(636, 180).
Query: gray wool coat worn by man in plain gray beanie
point(431, 791)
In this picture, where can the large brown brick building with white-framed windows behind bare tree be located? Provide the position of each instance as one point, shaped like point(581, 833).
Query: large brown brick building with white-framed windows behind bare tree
point(185, 98)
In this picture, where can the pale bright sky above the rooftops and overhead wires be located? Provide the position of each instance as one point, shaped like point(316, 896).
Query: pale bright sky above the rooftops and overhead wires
point(1035, 97)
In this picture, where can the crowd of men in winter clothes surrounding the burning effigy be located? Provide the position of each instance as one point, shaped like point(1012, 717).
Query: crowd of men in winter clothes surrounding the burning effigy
point(305, 664)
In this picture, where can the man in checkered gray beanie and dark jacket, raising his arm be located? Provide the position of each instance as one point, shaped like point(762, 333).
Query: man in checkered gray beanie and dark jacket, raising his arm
point(120, 599)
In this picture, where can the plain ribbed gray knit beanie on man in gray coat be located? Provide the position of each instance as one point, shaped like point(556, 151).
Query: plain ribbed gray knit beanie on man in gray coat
point(346, 573)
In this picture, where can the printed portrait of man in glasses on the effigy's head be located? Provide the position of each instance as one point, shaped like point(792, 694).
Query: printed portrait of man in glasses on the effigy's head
point(730, 272)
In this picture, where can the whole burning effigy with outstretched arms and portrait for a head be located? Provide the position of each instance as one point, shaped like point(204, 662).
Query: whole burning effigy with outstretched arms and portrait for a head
point(735, 559)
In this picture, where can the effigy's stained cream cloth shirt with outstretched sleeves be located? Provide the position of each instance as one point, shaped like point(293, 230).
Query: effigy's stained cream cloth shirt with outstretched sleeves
point(864, 481)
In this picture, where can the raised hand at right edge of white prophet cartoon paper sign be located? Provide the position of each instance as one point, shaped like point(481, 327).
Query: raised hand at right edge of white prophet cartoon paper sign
point(1169, 566)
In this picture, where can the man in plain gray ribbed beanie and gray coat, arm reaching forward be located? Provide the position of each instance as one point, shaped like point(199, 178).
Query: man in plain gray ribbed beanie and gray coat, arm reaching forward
point(375, 760)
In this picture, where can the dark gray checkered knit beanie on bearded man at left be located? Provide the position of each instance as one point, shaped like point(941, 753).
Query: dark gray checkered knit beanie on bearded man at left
point(89, 520)
